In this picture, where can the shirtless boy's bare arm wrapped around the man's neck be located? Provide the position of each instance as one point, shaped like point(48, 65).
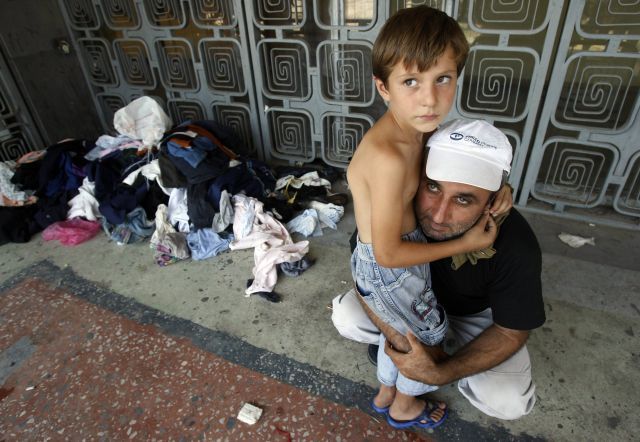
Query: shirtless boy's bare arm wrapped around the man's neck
point(387, 180)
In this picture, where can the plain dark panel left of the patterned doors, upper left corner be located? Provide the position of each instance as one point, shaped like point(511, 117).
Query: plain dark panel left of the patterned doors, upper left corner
point(45, 73)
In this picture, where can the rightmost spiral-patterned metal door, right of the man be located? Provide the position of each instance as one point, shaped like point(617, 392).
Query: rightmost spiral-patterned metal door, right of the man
point(585, 163)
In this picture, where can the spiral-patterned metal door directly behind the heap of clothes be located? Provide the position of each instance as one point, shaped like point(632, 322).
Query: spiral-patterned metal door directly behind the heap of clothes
point(190, 56)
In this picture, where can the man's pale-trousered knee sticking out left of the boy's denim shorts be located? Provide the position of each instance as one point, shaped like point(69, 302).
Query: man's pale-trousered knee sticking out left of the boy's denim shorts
point(351, 321)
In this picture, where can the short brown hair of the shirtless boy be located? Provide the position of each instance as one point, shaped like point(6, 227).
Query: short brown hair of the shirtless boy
point(417, 37)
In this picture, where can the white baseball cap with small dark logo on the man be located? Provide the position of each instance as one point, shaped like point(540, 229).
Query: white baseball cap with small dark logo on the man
point(470, 152)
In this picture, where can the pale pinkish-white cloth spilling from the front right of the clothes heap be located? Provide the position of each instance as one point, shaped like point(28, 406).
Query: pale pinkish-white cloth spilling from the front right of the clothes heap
point(270, 238)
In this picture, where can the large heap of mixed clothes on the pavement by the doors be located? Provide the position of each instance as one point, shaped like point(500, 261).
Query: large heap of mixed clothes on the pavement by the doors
point(190, 190)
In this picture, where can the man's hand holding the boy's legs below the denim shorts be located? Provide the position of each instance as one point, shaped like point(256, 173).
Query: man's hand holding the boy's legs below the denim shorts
point(420, 363)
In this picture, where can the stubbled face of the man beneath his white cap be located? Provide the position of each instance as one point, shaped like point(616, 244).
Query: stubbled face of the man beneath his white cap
point(446, 210)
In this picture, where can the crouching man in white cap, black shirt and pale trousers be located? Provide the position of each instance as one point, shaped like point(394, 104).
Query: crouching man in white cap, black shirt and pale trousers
point(493, 297)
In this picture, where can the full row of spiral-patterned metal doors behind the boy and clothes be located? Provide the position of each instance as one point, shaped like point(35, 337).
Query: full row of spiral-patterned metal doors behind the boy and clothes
point(294, 78)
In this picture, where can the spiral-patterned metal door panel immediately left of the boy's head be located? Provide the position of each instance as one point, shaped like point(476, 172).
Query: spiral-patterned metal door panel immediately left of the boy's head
point(313, 76)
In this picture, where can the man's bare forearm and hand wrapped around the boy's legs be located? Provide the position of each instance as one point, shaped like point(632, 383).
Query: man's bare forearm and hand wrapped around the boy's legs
point(430, 365)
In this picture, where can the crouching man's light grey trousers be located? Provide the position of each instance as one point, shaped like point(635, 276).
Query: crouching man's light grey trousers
point(506, 391)
